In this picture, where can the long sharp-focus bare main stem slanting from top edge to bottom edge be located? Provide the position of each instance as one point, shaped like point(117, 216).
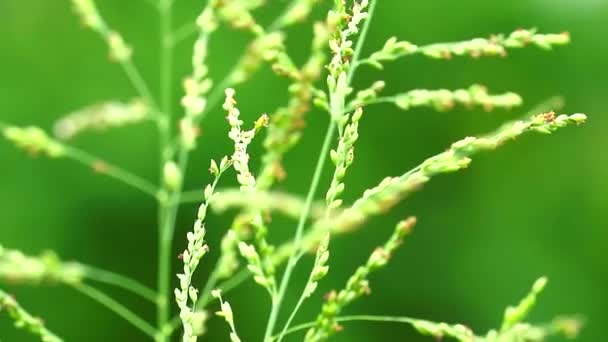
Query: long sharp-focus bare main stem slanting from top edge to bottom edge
point(294, 258)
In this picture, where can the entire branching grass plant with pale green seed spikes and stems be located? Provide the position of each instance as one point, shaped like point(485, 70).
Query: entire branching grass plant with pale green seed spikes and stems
point(335, 56)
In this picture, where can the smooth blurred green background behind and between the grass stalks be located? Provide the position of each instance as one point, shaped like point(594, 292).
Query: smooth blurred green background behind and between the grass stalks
point(536, 207)
